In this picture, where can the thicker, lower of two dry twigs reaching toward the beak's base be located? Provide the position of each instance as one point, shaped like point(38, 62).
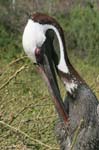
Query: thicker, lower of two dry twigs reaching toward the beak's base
point(13, 76)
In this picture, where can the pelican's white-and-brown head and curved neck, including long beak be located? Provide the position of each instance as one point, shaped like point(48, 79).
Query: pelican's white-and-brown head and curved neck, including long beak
point(37, 42)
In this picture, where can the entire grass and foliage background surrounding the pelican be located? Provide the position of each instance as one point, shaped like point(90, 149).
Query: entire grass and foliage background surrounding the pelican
point(27, 115)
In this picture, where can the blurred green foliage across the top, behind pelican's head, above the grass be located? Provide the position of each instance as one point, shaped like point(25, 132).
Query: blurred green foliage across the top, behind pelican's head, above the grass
point(79, 19)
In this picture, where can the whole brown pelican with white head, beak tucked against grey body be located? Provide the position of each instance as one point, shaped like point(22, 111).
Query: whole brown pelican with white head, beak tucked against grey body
point(78, 126)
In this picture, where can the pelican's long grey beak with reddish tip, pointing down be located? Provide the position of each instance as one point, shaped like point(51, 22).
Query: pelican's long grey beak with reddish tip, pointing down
point(48, 71)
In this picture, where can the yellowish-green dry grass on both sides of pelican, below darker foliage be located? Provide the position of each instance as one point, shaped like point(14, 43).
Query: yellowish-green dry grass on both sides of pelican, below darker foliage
point(27, 115)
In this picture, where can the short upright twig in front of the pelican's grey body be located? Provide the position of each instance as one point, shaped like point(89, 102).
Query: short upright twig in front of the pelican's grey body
point(76, 134)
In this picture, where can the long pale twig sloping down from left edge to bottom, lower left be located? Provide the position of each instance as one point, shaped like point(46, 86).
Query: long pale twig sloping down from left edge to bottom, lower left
point(26, 135)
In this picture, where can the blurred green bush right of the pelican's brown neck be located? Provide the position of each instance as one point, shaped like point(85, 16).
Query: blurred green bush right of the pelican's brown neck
point(83, 32)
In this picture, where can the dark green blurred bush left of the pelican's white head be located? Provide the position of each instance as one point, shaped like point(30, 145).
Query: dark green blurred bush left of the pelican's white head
point(10, 45)
